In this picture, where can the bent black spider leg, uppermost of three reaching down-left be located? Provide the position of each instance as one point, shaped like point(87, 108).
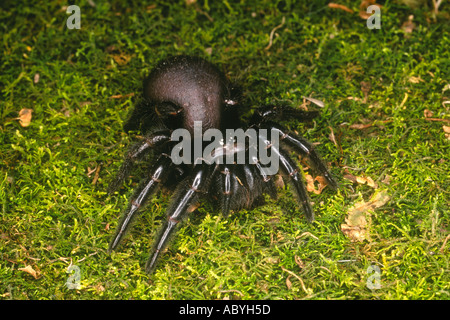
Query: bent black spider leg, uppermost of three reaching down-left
point(136, 152)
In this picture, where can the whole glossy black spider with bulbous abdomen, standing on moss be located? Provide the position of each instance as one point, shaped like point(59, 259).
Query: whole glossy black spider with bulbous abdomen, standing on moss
point(180, 93)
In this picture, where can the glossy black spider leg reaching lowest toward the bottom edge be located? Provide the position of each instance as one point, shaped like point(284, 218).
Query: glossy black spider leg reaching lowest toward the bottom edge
point(181, 204)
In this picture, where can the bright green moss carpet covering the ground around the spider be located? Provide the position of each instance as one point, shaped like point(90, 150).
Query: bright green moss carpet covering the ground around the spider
point(53, 214)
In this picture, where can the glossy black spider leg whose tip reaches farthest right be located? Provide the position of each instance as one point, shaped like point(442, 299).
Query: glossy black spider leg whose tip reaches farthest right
point(305, 148)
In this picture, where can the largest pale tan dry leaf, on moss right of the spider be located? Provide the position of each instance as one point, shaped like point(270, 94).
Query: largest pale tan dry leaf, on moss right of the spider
point(358, 218)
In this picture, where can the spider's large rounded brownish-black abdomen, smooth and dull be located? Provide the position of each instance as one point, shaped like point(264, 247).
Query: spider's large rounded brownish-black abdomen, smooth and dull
point(194, 86)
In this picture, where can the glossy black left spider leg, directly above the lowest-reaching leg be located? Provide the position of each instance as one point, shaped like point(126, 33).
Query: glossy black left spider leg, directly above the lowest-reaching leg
point(158, 173)
